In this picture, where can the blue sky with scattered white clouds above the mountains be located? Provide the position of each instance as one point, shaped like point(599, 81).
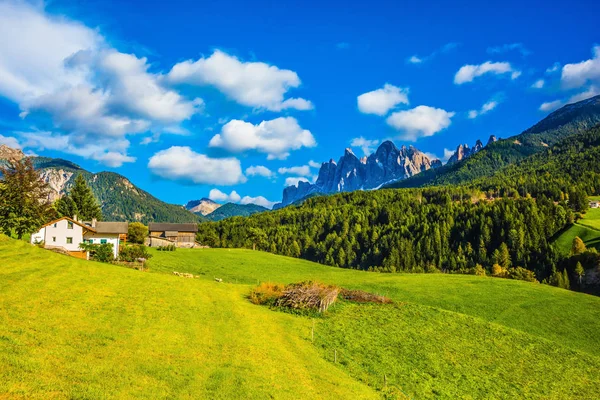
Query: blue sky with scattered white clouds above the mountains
point(185, 98)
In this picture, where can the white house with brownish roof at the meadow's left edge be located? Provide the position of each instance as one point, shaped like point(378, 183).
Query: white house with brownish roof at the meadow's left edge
point(67, 234)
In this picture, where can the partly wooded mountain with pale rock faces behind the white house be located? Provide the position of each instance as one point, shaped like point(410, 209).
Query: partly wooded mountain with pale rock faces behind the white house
point(119, 199)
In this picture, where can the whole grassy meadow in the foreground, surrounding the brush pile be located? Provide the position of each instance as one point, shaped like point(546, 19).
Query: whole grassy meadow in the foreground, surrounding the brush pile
point(76, 329)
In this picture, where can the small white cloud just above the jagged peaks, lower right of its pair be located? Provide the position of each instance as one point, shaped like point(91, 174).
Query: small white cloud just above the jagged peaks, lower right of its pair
point(421, 121)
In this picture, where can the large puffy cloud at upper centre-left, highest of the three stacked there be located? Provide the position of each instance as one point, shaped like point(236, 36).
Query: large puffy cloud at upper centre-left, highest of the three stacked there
point(254, 84)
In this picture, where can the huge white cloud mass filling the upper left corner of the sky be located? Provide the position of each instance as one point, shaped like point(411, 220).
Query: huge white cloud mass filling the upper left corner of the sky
point(71, 78)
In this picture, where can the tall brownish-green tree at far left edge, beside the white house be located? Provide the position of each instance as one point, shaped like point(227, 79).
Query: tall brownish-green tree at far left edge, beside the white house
point(24, 198)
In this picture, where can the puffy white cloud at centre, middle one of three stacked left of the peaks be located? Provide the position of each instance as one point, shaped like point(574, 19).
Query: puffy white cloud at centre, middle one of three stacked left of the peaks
point(275, 137)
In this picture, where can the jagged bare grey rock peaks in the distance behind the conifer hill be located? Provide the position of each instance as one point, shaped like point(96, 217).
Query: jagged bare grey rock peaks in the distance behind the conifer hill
point(350, 173)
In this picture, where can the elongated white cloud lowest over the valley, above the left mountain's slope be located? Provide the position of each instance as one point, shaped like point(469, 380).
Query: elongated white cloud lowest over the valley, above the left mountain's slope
point(182, 163)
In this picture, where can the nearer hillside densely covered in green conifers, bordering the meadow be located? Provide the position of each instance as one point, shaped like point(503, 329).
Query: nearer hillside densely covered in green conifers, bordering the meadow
point(507, 220)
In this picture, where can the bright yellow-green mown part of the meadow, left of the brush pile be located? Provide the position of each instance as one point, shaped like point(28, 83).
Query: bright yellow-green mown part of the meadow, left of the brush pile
point(76, 329)
